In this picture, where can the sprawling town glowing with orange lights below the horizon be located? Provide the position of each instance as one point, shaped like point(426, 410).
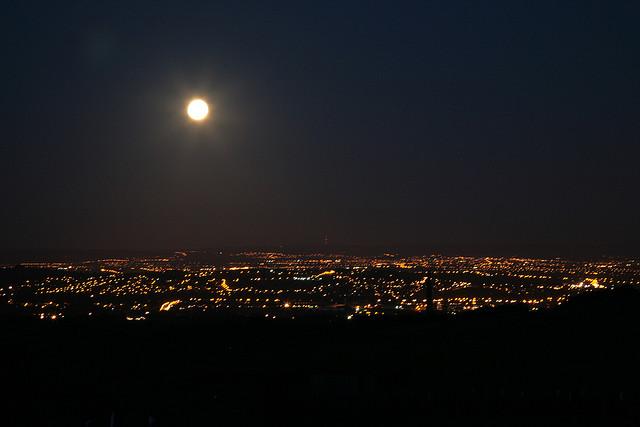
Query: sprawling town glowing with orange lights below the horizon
point(278, 285)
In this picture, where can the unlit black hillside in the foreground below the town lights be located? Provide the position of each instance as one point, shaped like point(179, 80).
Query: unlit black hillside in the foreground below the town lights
point(573, 366)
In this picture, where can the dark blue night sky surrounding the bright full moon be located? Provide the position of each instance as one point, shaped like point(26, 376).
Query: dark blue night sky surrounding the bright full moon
point(459, 127)
